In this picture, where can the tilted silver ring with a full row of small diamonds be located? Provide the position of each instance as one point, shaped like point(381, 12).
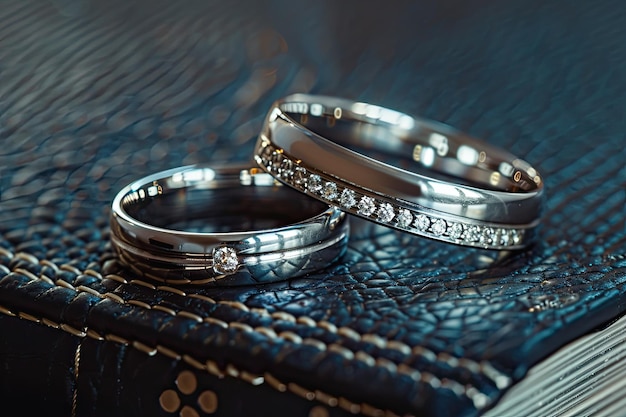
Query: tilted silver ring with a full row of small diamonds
point(407, 173)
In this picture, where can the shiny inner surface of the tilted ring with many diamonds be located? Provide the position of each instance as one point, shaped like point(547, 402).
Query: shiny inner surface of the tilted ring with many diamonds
point(426, 148)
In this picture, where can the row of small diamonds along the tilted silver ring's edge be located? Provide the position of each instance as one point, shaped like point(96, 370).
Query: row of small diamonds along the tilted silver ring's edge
point(349, 200)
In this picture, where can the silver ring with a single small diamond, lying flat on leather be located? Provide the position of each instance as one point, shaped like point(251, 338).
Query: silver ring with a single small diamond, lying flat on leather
point(226, 225)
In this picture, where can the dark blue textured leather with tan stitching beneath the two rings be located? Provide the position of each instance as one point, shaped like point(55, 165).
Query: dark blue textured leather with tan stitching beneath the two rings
point(96, 94)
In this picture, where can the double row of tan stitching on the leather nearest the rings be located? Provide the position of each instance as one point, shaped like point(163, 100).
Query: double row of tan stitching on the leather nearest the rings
point(483, 367)
